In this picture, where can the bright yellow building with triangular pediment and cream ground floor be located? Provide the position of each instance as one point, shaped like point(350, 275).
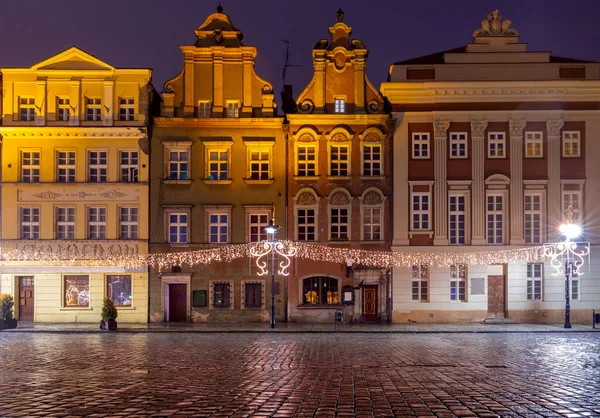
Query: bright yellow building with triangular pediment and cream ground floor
point(75, 188)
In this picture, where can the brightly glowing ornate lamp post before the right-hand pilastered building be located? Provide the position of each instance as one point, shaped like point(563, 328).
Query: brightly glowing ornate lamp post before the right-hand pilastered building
point(573, 254)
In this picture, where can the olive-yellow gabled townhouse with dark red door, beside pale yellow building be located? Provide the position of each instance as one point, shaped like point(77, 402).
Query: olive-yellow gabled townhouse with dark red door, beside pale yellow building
point(218, 172)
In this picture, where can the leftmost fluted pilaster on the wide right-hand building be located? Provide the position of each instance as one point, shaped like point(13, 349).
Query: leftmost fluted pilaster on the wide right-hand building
point(440, 203)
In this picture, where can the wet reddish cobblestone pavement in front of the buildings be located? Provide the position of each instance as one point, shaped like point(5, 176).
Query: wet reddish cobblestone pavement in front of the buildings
point(283, 375)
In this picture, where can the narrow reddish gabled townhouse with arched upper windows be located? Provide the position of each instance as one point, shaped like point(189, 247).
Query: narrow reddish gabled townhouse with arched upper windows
point(339, 184)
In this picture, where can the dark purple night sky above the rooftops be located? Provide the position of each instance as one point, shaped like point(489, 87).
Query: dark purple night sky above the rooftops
point(147, 33)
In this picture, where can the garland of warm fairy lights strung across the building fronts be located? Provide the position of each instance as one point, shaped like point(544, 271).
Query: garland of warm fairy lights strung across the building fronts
point(306, 251)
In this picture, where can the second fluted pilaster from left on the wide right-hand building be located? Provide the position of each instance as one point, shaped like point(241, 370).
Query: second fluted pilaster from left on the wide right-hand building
point(478, 185)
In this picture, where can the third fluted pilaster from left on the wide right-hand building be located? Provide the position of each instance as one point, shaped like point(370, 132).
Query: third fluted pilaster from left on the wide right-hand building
point(516, 181)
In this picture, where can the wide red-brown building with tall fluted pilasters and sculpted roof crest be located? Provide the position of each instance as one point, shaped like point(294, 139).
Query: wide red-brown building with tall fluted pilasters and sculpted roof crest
point(493, 144)
